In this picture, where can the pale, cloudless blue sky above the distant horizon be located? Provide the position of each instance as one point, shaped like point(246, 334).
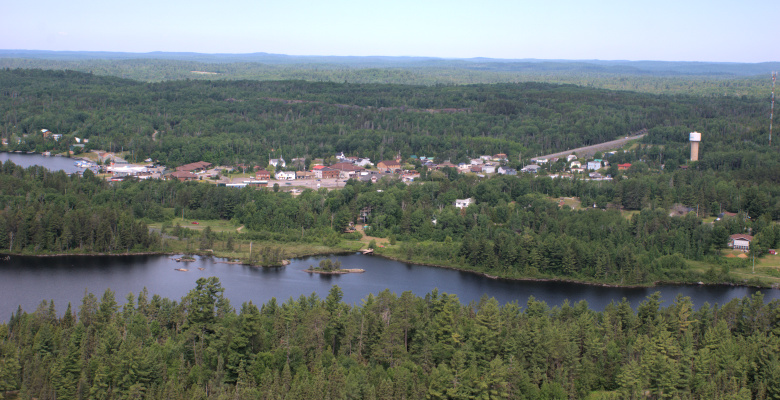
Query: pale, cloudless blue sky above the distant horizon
point(667, 30)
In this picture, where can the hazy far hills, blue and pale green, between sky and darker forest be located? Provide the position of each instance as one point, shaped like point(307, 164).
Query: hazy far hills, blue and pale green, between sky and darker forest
point(700, 78)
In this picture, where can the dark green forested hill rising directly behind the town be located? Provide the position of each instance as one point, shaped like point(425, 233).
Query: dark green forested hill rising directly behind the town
point(228, 122)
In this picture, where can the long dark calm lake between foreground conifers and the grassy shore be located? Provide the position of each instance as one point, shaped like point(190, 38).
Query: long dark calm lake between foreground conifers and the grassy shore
point(26, 281)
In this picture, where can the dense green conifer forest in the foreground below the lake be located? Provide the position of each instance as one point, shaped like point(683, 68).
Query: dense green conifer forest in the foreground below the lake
point(388, 347)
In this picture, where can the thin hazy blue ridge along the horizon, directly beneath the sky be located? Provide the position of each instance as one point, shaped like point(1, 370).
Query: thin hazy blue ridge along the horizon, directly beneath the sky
point(478, 63)
